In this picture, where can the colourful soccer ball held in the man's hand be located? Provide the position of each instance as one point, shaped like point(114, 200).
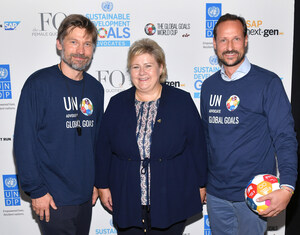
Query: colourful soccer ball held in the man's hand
point(259, 186)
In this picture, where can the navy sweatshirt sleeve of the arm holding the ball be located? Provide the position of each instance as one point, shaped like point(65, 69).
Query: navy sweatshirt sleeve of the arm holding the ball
point(281, 125)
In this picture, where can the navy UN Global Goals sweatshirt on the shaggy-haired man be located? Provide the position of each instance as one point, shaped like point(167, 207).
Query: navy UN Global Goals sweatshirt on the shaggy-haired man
point(51, 157)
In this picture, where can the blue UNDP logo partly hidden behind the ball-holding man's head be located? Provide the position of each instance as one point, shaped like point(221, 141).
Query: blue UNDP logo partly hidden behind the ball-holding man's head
point(213, 13)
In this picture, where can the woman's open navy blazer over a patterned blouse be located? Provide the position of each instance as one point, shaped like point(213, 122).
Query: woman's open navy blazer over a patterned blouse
point(178, 159)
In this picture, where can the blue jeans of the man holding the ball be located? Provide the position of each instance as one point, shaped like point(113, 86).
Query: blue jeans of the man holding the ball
point(233, 218)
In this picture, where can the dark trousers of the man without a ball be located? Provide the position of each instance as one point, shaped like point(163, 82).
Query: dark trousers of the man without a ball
point(68, 220)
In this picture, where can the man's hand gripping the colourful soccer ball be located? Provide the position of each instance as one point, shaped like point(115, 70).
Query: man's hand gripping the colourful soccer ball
point(279, 200)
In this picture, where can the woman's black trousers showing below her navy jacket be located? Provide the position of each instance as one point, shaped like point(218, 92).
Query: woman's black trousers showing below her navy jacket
point(175, 229)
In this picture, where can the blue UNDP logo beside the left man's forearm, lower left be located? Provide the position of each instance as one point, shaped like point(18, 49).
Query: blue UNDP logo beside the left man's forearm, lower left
point(11, 190)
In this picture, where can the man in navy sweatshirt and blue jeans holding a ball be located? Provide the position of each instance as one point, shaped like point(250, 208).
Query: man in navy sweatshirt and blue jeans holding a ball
point(248, 124)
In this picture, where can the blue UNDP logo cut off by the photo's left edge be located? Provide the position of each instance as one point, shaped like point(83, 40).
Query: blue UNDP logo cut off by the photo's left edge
point(5, 85)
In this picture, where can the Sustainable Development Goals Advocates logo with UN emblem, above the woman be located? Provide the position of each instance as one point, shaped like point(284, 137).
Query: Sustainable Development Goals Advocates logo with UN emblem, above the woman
point(113, 28)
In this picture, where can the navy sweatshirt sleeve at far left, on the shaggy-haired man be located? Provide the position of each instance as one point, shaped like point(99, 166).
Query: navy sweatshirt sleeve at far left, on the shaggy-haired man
point(26, 142)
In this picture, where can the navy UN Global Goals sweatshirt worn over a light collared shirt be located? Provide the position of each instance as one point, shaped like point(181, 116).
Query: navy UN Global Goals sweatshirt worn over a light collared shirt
point(247, 122)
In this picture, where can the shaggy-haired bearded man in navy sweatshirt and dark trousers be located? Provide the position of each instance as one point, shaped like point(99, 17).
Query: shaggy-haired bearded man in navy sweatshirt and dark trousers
point(57, 122)
